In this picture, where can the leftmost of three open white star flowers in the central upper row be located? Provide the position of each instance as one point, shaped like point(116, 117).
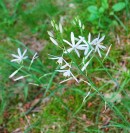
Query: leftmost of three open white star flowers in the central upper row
point(74, 46)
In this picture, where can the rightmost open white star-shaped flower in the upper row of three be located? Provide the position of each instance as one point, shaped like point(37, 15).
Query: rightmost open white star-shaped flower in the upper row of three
point(98, 45)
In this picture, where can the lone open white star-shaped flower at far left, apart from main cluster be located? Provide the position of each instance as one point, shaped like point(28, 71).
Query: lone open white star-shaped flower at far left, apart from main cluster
point(20, 57)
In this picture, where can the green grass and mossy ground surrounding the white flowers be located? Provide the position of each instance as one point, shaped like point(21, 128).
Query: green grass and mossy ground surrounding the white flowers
point(52, 107)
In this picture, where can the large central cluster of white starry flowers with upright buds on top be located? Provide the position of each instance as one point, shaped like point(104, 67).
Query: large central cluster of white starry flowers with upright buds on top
point(77, 52)
